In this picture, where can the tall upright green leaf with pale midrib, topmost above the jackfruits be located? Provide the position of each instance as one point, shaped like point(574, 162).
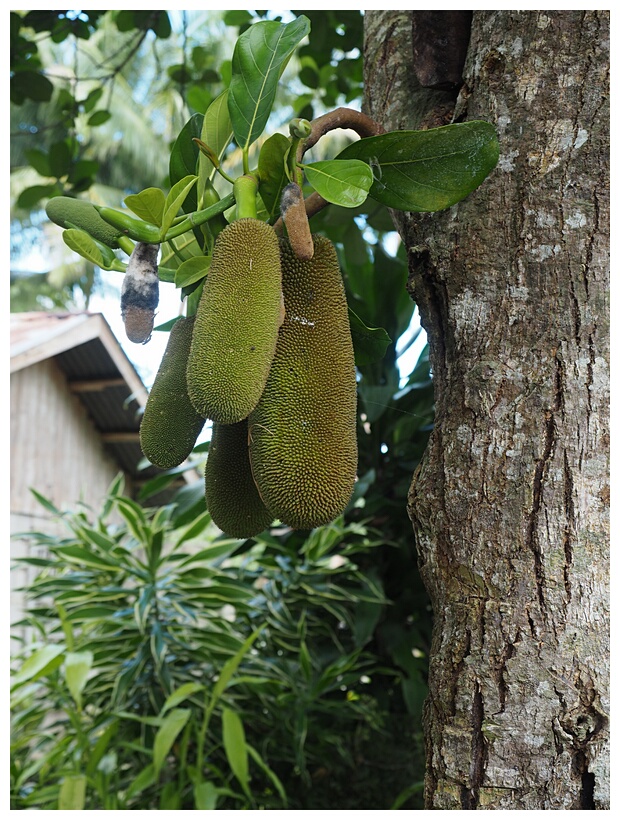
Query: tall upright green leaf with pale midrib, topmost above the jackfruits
point(260, 56)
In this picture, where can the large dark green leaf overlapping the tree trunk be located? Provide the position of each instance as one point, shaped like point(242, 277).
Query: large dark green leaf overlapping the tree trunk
point(428, 170)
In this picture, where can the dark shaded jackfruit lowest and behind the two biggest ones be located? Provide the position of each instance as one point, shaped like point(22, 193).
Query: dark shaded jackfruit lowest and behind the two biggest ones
point(230, 493)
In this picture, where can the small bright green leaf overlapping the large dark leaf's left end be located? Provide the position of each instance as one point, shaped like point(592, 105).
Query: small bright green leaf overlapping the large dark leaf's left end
point(342, 182)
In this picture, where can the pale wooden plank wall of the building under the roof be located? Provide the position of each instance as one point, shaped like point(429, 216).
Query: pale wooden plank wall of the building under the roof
point(55, 449)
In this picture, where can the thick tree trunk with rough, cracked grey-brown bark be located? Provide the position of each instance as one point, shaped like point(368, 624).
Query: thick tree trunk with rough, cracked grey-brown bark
point(510, 505)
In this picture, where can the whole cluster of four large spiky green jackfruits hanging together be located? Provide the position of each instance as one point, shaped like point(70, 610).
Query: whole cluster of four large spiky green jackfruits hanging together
point(279, 385)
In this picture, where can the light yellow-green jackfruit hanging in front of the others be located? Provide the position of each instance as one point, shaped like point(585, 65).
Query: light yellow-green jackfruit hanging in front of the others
point(236, 322)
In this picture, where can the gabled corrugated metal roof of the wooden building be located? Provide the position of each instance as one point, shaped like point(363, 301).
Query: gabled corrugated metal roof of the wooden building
point(98, 372)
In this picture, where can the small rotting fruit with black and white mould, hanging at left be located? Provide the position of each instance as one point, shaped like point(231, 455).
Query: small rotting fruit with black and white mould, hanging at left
point(140, 293)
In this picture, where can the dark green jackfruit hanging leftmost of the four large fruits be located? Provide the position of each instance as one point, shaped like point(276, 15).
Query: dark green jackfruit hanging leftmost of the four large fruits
point(170, 425)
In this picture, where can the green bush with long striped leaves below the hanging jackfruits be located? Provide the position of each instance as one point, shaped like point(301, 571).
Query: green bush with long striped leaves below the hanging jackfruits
point(174, 668)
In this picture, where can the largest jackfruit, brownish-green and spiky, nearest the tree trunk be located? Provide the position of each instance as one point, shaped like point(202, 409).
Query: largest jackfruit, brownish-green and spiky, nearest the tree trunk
point(303, 444)
